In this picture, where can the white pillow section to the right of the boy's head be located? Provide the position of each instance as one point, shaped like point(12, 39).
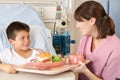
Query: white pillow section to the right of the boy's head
point(41, 38)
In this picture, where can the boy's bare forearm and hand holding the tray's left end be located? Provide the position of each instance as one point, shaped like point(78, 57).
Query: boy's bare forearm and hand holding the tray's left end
point(7, 68)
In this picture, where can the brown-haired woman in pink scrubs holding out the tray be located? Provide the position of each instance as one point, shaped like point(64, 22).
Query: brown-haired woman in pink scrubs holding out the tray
point(99, 44)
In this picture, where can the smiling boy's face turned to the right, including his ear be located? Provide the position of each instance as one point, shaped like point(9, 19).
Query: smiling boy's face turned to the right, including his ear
point(22, 41)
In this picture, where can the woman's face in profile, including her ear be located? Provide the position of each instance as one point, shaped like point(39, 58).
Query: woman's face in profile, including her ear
point(86, 27)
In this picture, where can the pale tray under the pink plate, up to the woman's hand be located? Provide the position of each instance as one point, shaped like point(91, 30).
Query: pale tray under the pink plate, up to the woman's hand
point(51, 71)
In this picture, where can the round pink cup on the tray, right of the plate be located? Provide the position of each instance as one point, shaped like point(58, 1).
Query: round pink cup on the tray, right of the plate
point(75, 58)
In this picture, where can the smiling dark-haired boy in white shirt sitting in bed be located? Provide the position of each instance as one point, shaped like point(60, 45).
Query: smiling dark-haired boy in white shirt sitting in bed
point(19, 37)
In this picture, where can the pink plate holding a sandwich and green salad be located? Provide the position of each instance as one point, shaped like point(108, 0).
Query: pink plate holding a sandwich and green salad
point(45, 61)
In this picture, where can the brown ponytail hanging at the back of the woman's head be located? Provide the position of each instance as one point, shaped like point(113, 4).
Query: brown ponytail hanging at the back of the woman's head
point(105, 26)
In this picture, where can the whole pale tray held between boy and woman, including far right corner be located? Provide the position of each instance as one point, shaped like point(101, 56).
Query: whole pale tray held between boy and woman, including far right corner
point(49, 71)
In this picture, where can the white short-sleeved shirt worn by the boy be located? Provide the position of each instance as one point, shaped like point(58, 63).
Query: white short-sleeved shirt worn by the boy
point(9, 56)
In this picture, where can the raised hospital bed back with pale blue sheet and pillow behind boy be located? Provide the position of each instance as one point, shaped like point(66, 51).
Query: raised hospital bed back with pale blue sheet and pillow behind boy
point(40, 35)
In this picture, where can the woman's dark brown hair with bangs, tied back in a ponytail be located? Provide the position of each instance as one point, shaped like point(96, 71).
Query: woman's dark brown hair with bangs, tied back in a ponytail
point(104, 23)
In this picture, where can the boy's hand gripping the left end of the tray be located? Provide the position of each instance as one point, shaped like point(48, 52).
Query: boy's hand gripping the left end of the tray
point(9, 68)
